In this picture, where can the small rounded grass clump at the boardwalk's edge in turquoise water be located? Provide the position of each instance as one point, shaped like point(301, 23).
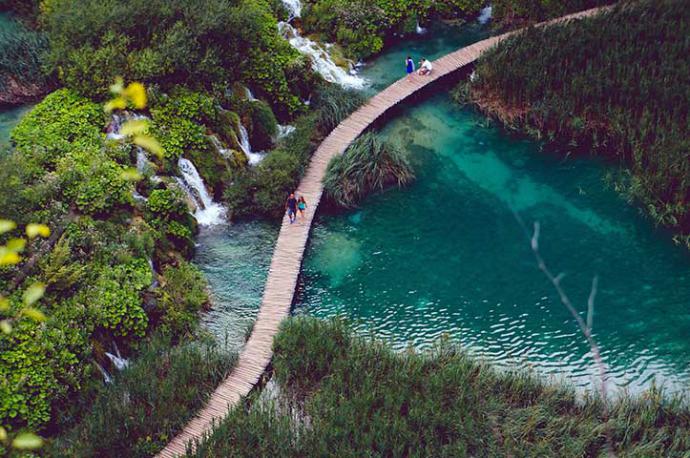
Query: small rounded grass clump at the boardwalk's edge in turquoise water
point(368, 165)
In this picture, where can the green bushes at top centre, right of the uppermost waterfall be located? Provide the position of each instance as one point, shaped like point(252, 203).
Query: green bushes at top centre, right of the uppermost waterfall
point(362, 27)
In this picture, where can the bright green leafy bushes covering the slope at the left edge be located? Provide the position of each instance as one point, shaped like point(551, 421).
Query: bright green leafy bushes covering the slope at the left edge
point(110, 267)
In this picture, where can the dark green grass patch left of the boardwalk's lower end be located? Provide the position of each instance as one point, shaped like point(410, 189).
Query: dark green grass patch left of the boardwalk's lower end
point(147, 403)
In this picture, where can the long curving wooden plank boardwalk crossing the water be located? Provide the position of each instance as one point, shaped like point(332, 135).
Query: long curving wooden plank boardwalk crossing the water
point(292, 240)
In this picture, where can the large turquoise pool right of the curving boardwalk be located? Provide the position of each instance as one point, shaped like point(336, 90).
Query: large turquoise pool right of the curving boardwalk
point(448, 256)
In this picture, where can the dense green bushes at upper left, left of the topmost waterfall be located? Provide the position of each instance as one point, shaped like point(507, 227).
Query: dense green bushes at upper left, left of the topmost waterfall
point(169, 43)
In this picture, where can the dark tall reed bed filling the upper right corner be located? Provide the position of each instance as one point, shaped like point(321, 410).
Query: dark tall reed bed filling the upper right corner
point(614, 86)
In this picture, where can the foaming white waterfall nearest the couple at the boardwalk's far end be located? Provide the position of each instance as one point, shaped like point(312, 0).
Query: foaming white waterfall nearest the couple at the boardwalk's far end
point(321, 61)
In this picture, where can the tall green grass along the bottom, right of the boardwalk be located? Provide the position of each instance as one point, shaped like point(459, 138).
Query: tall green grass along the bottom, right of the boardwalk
point(356, 397)
